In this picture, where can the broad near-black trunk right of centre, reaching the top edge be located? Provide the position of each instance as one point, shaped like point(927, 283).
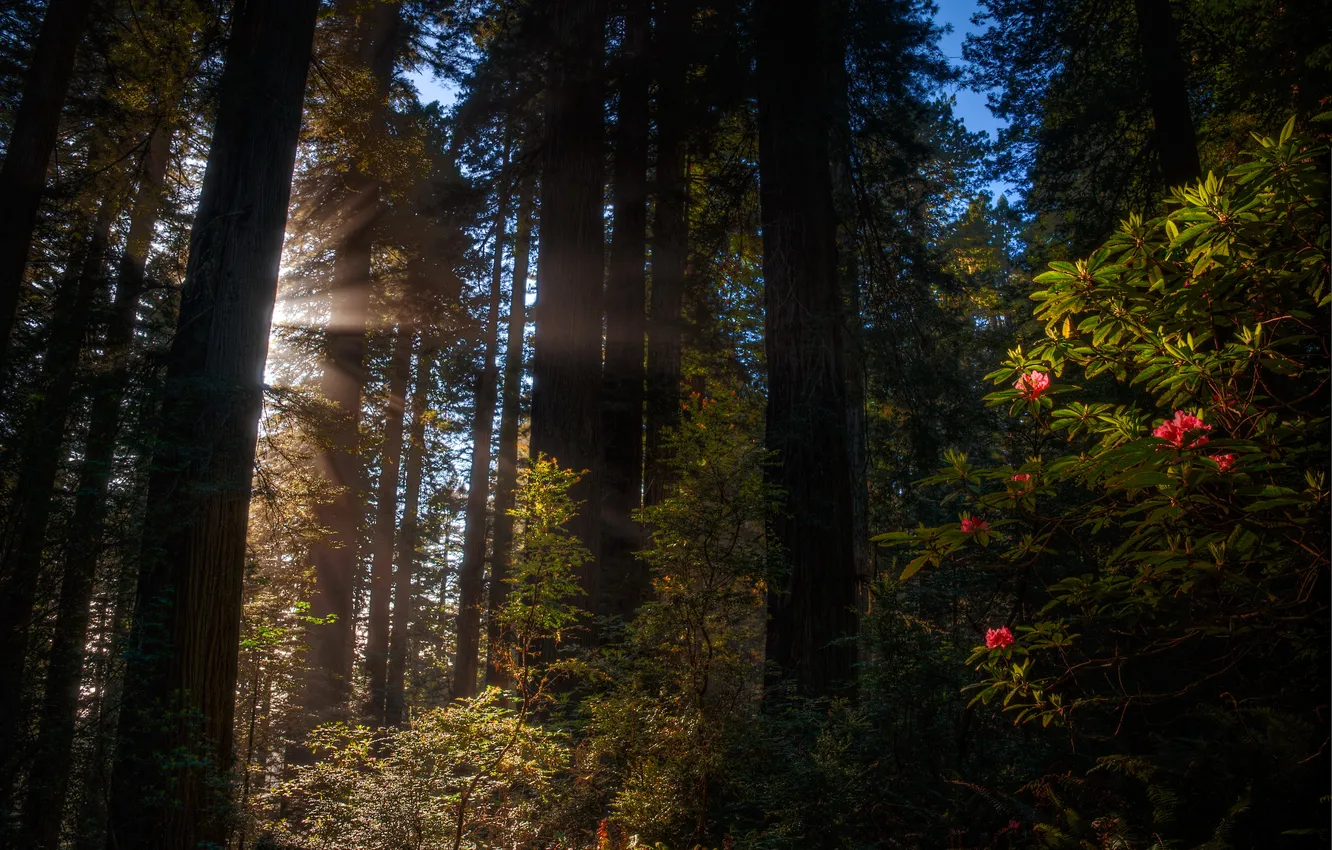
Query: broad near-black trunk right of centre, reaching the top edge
point(813, 608)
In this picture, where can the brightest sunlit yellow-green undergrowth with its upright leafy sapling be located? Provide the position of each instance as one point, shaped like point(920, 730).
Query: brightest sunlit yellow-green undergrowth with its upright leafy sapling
point(478, 773)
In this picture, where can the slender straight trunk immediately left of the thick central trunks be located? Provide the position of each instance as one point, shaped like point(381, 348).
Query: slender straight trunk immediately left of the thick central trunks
point(511, 414)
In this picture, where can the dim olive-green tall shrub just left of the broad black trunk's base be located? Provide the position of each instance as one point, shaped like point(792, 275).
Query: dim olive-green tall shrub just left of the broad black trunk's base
point(688, 675)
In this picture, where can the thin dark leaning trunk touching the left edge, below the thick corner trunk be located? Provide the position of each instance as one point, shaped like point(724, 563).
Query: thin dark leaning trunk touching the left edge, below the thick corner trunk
point(35, 495)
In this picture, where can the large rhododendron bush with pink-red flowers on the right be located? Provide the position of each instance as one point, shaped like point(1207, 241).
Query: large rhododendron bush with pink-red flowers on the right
point(1161, 523)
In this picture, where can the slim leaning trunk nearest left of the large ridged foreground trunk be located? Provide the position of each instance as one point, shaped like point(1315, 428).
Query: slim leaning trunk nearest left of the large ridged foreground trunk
point(65, 669)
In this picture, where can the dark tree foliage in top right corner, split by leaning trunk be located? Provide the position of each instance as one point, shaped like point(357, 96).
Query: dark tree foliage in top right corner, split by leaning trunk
point(1069, 79)
